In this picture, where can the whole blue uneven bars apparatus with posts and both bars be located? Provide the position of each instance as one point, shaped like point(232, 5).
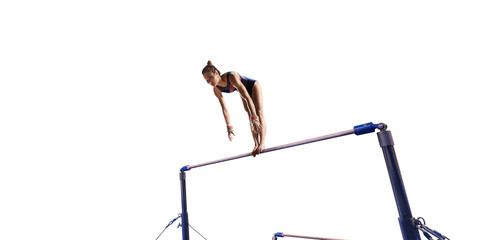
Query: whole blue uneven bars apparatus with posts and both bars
point(409, 226)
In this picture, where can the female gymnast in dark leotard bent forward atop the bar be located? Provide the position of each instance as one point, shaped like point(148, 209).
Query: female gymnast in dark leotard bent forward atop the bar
point(252, 99)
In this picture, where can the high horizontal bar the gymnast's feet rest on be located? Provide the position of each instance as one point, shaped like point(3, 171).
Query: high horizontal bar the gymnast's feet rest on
point(358, 130)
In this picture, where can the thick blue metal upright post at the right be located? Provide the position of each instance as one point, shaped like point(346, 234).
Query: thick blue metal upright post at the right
point(407, 226)
